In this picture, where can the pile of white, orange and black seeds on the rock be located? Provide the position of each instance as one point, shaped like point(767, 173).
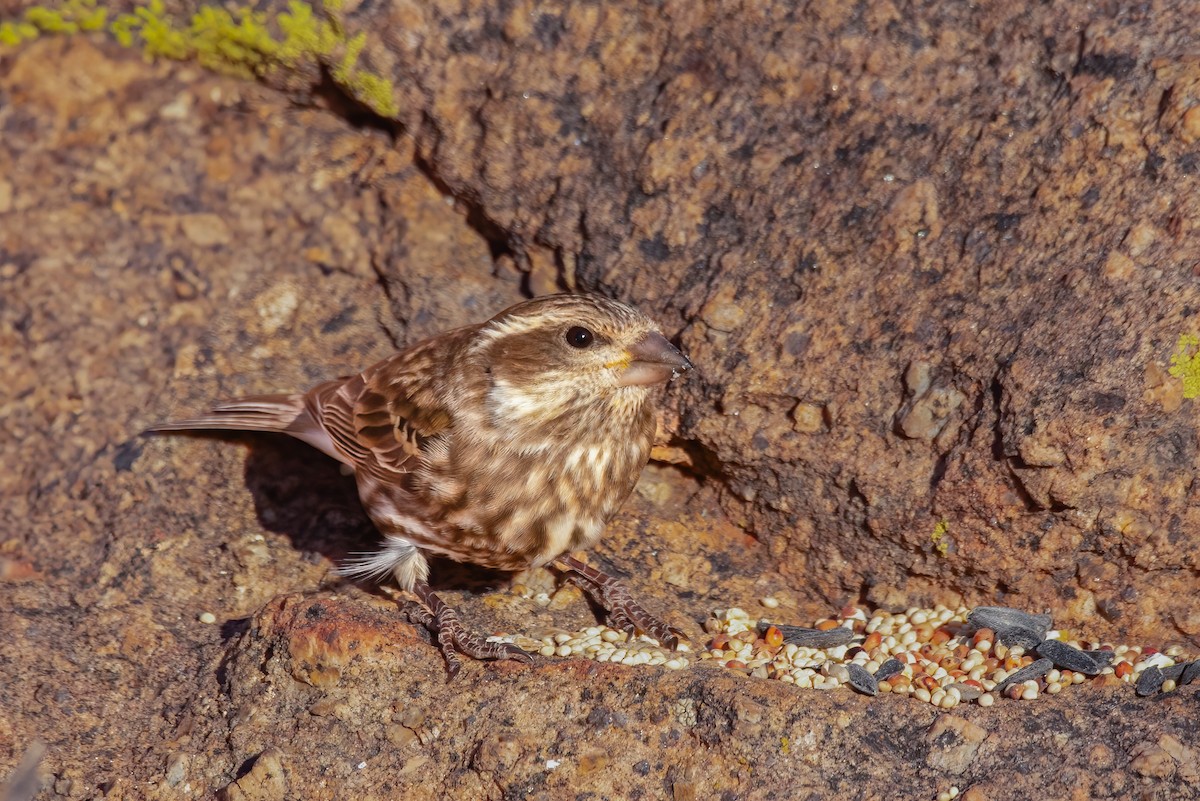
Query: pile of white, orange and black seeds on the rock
point(940, 657)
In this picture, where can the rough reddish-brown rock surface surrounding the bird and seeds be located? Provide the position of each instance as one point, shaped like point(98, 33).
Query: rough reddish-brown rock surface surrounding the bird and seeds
point(932, 261)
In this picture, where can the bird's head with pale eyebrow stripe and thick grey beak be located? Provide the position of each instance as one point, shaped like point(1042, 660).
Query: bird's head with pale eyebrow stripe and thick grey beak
point(568, 356)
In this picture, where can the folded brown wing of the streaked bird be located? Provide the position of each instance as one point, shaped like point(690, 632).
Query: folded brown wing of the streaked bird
point(383, 418)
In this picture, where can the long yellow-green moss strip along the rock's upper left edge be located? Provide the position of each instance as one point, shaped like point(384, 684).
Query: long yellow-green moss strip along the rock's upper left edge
point(242, 43)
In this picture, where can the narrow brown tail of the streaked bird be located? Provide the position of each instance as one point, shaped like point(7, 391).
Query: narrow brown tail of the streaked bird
point(286, 414)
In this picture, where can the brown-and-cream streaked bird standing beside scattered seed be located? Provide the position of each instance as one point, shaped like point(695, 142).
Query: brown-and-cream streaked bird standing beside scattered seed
point(508, 444)
